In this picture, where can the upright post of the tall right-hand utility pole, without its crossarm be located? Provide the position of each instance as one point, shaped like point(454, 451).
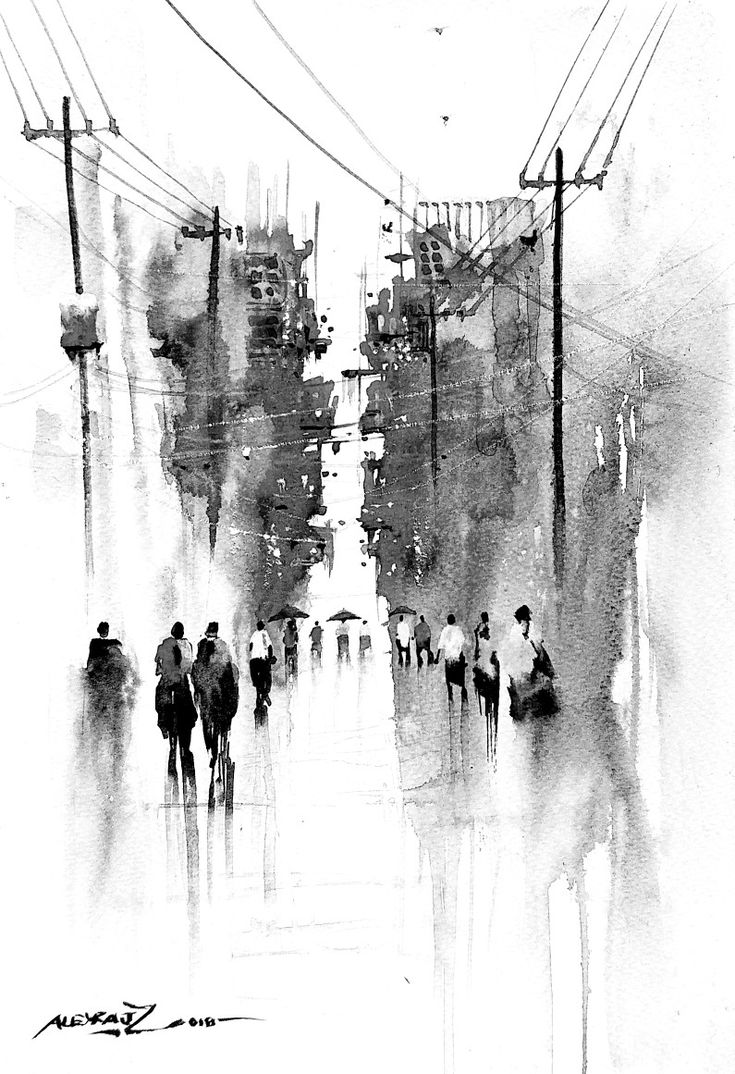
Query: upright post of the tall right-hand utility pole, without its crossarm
point(559, 539)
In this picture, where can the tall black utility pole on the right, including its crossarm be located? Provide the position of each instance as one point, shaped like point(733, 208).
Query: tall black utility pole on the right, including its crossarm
point(559, 183)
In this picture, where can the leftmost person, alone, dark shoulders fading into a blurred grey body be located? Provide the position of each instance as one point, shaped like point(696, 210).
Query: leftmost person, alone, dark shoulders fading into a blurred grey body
point(111, 689)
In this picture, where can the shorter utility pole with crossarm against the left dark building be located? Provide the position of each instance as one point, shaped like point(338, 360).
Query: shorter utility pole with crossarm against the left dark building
point(213, 390)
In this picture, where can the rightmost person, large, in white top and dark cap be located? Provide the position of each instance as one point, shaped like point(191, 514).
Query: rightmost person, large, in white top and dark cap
point(530, 672)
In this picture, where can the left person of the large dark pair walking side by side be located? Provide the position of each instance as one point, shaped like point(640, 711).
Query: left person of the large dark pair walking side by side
point(175, 705)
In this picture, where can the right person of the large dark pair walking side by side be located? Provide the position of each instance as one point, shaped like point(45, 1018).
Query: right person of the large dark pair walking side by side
point(215, 679)
